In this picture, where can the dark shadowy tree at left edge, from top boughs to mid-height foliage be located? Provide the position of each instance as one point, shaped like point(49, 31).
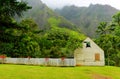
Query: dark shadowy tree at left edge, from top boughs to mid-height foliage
point(8, 9)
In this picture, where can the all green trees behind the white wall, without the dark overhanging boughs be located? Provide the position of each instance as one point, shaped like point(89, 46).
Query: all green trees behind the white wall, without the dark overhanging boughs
point(24, 39)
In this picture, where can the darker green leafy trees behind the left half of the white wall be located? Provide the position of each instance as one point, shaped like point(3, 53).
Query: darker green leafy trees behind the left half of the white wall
point(20, 40)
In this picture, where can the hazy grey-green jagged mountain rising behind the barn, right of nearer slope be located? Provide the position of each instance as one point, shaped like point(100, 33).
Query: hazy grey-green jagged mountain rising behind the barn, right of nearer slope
point(88, 18)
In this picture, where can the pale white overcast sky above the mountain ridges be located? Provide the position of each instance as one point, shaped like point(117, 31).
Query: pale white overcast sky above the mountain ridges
point(61, 3)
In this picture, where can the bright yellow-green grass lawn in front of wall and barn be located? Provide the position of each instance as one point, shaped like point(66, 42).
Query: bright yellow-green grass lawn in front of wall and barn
point(37, 72)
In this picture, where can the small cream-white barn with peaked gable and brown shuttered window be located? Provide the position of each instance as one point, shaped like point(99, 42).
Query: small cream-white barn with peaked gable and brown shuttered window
point(90, 55)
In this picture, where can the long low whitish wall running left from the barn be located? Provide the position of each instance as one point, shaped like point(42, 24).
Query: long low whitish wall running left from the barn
point(40, 61)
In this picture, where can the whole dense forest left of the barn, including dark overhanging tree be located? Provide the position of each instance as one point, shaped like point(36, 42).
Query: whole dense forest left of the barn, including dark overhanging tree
point(25, 38)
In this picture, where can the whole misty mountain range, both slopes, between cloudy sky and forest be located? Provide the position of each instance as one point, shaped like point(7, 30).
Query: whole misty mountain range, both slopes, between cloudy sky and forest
point(85, 19)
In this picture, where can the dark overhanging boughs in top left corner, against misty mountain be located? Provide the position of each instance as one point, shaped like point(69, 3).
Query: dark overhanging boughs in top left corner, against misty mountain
point(12, 7)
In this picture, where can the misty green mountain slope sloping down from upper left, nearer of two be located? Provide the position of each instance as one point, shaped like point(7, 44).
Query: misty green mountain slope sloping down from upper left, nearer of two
point(42, 14)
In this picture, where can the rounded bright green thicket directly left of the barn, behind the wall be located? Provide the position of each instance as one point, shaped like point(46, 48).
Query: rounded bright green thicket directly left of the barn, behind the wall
point(61, 42)
